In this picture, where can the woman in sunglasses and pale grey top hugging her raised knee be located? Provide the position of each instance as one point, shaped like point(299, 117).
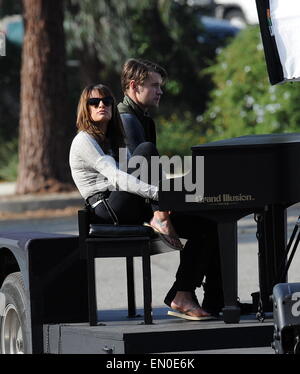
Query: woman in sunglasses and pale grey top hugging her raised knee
point(94, 159)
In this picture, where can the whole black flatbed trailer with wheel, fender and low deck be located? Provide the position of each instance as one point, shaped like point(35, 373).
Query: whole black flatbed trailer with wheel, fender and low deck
point(44, 309)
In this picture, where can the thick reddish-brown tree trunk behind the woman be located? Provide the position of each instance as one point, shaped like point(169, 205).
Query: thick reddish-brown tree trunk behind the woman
point(43, 140)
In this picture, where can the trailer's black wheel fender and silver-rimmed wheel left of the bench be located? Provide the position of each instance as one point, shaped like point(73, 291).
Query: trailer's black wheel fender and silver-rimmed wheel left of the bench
point(42, 281)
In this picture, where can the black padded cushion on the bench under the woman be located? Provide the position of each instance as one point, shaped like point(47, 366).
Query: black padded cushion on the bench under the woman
point(114, 231)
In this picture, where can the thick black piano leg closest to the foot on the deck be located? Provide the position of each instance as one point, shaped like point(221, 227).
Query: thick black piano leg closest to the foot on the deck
point(227, 232)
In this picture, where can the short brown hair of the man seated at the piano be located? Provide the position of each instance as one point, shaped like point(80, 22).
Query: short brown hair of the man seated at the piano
point(138, 70)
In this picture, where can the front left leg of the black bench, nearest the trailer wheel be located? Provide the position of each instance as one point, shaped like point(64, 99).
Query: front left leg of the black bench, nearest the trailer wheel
point(92, 300)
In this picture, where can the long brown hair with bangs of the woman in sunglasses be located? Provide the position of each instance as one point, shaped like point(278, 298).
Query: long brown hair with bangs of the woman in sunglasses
point(115, 135)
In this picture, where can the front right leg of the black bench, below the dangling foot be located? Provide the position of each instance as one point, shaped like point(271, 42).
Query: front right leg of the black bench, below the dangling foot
point(147, 288)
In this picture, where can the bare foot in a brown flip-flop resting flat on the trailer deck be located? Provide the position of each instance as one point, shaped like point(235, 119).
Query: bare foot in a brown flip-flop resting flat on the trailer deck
point(184, 303)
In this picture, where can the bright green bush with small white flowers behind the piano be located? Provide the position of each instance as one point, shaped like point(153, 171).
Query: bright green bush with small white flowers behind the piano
point(243, 101)
